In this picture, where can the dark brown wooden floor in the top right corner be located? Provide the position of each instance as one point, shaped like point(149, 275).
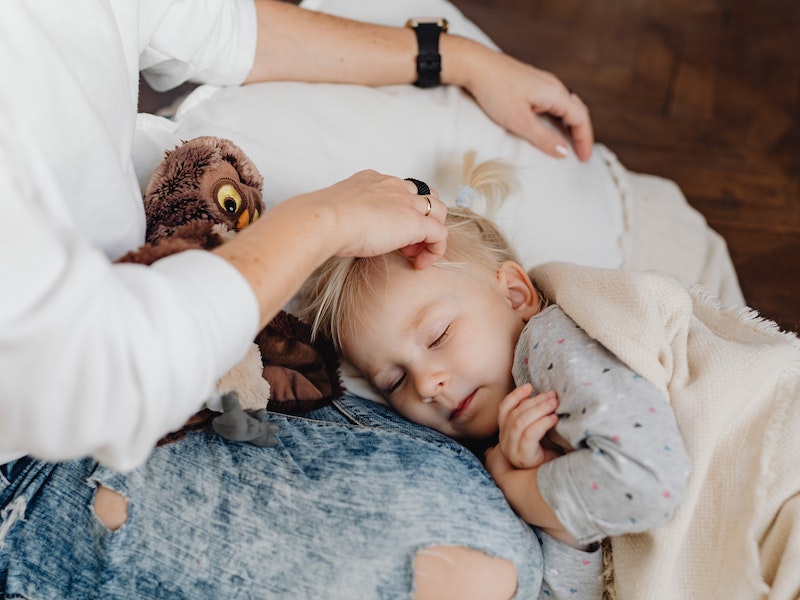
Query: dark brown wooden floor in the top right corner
point(703, 92)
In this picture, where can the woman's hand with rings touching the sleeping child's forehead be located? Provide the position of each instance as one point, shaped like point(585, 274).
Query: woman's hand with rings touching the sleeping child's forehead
point(375, 214)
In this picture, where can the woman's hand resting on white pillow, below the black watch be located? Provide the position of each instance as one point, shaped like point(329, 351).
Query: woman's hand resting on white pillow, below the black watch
point(513, 93)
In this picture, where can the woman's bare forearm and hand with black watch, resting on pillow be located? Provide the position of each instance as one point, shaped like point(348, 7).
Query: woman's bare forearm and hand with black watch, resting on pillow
point(295, 44)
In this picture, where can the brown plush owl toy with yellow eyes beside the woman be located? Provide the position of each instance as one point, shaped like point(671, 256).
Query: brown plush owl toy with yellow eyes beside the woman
point(200, 195)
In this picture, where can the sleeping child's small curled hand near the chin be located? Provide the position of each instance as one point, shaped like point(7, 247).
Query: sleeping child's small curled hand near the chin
point(524, 421)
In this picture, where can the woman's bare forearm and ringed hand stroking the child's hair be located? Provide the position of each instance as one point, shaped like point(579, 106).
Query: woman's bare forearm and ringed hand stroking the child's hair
point(365, 215)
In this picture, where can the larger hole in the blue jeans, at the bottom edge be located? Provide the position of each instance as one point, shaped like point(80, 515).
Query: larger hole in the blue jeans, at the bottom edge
point(442, 572)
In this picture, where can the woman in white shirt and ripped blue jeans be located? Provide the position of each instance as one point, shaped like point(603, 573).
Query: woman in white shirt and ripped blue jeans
point(127, 361)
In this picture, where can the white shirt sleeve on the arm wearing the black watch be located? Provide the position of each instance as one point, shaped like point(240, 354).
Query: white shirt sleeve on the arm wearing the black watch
point(213, 41)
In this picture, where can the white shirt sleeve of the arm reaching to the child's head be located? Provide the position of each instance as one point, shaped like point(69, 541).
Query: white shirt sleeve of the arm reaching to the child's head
point(98, 358)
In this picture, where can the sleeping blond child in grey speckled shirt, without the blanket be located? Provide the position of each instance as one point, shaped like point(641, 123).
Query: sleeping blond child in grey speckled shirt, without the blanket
point(441, 347)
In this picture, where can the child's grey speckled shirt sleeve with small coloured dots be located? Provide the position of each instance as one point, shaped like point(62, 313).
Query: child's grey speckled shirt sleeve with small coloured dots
point(628, 466)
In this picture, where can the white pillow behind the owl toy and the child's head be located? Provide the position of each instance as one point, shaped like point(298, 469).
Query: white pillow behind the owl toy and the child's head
point(308, 136)
